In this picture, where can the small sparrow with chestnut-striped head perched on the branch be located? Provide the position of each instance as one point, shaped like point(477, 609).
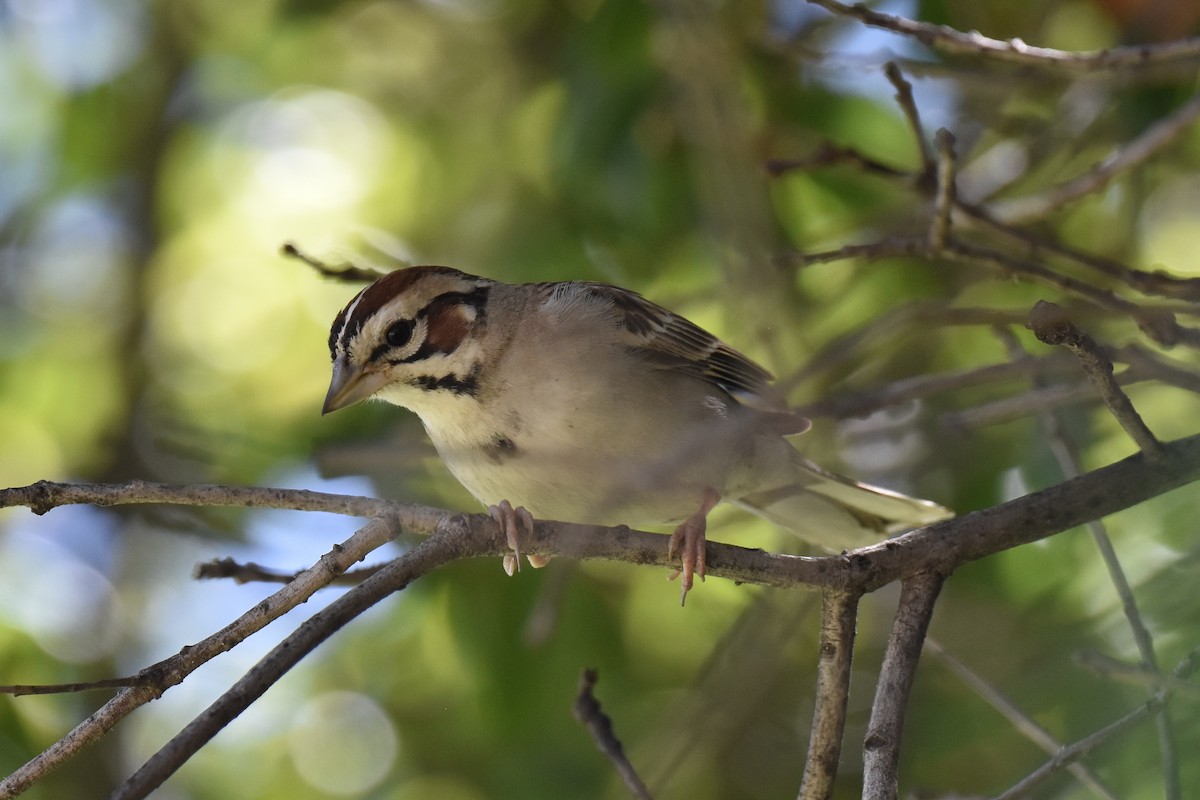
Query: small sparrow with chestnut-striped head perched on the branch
point(585, 402)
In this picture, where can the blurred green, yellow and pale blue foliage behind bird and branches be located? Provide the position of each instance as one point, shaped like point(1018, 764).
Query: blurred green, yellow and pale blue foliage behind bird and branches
point(154, 158)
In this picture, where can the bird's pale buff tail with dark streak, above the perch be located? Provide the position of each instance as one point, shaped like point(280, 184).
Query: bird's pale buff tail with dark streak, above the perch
point(837, 514)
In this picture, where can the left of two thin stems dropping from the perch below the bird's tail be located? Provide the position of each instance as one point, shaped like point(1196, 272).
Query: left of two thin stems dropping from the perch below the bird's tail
point(839, 613)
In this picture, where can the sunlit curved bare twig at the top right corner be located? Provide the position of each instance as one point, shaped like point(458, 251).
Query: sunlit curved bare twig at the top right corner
point(950, 40)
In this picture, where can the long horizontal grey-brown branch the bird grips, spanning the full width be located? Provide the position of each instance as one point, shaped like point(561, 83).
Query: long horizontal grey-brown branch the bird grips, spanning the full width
point(943, 546)
